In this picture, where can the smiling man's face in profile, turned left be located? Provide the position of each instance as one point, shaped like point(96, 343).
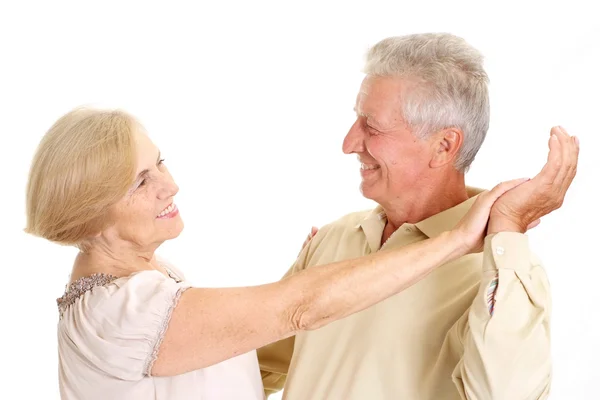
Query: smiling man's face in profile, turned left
point(393, 160)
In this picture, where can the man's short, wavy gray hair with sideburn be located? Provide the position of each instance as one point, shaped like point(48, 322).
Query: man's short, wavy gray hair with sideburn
point(451, 86)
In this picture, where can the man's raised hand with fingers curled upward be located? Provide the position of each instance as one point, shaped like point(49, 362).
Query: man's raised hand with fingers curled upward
point(522, 207)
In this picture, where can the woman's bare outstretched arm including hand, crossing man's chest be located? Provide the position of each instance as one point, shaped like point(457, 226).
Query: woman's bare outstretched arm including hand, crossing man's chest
point(212, 325)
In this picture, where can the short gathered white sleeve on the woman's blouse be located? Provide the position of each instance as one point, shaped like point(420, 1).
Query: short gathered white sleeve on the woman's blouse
point(119, 327)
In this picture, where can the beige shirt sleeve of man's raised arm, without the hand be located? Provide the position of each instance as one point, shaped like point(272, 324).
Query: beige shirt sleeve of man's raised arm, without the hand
point(506, 336)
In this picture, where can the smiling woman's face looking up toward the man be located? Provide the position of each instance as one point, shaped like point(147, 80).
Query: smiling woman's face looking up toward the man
point(147, 215)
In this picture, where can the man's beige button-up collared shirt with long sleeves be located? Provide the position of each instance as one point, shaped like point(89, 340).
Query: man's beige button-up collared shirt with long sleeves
point(476, 328)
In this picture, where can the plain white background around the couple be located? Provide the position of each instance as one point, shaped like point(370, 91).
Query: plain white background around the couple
point(249, 102)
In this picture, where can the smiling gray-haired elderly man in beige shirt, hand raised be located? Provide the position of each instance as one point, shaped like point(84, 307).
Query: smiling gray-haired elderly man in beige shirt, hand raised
point(477, 328)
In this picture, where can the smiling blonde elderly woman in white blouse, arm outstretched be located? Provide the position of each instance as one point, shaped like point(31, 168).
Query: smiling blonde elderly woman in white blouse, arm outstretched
point(131, 326)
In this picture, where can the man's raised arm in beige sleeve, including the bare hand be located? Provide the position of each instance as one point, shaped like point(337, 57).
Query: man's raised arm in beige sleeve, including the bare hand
point(506, 337)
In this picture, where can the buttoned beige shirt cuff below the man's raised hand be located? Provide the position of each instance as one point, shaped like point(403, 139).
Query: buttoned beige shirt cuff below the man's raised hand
point(506, 250)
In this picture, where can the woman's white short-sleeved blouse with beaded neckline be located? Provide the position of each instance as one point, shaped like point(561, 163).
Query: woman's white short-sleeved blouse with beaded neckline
point(109, 333)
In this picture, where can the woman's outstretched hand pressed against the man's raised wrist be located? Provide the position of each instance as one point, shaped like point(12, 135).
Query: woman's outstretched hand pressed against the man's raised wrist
point(470, 231)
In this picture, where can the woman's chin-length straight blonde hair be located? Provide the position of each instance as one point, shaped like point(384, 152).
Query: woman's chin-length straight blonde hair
point(83, 165)
